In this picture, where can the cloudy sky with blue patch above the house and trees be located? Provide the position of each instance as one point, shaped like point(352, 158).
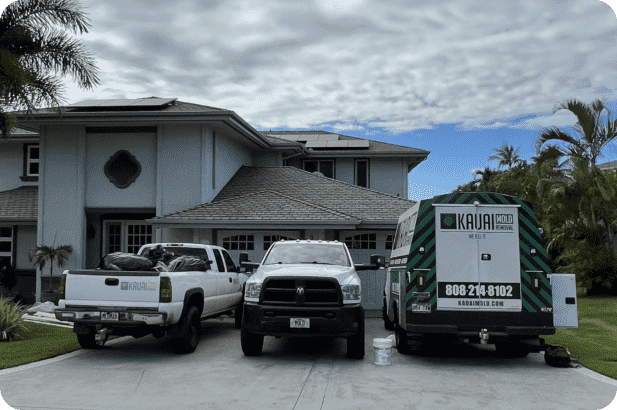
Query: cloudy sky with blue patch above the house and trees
point(455, 77)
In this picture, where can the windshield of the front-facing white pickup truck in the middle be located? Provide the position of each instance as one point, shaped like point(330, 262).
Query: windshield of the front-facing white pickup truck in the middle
point(316, 253)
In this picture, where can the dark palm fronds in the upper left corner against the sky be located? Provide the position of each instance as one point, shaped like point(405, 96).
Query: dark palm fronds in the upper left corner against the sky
point(34, 54)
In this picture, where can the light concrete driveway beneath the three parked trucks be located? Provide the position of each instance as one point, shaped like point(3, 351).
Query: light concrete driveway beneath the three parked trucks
point(296, 374)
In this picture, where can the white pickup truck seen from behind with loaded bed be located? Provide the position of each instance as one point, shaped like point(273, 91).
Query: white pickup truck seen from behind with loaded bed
point(138, 303)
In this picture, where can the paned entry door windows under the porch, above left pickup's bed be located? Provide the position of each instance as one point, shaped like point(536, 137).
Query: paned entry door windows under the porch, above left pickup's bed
point(126, 236)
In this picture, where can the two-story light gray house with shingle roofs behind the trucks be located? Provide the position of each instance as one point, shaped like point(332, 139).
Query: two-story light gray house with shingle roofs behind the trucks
point(115, 174)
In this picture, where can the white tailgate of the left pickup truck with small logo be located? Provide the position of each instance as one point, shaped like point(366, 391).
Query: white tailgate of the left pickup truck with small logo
point(112, 286)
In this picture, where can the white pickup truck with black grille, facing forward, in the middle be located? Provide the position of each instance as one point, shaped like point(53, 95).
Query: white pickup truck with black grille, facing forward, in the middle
point(304, 288)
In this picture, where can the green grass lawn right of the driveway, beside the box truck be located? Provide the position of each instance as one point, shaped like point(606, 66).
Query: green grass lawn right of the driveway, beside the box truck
point(594, 343)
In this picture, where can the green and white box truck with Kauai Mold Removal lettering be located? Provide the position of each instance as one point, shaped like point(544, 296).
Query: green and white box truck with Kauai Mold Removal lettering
point(471, 267)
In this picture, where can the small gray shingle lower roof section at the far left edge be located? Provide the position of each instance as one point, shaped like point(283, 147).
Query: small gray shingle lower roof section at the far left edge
point(19, 204)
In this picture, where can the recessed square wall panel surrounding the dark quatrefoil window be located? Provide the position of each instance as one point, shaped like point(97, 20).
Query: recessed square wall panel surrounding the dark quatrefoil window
point(100, 191)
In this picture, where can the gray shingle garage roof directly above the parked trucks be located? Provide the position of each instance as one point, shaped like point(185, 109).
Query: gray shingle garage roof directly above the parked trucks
point(276, 194)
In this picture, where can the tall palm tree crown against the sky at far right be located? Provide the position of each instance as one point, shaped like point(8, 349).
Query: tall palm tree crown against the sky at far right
point(593, 134)
